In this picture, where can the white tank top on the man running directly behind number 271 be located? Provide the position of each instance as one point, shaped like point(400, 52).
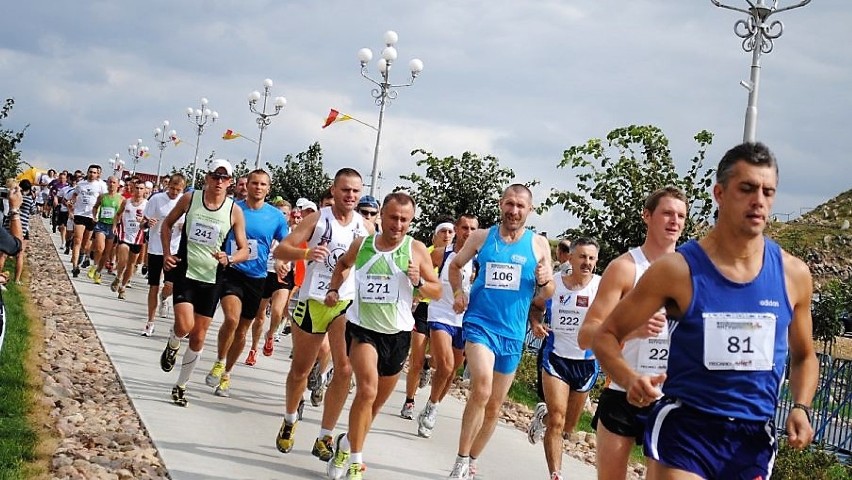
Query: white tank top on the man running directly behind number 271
point(337, 238)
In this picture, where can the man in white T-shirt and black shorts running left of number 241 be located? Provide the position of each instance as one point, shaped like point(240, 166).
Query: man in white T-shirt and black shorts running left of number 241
point(159, 206)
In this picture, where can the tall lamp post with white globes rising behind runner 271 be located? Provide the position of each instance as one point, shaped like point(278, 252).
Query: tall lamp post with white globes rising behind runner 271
point(385, 91)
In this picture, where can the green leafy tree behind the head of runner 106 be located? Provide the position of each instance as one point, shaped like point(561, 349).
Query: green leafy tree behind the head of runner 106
point(452, 186)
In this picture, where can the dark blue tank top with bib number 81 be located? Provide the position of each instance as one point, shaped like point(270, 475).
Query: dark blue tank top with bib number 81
point(728, 352)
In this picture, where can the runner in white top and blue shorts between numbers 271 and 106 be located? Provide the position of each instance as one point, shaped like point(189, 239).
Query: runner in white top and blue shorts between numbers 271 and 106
point(445, 325)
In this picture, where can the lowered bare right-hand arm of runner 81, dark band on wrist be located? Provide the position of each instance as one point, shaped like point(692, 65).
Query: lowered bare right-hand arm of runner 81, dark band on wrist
point(804, 367)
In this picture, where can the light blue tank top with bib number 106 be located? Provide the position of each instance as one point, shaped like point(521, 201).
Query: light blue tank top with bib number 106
point(503, 289)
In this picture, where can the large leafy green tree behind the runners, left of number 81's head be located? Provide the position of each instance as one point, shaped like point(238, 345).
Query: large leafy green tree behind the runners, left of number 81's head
point(615, 177)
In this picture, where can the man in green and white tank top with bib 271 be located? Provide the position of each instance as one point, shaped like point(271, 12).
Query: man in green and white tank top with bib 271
point(387, 268)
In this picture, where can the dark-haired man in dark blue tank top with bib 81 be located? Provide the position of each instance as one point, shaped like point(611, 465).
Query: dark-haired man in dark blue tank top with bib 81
point(741, 304)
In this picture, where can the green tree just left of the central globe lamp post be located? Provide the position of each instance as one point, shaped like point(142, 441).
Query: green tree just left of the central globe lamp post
point(302, 176)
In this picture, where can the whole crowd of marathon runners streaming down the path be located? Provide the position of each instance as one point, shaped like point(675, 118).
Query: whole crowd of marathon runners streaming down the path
point(693, 339)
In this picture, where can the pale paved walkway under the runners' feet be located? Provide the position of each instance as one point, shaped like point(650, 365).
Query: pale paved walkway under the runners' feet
point(233, 438)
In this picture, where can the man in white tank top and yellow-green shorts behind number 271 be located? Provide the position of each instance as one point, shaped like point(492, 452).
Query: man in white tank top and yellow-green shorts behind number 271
point(329, 234)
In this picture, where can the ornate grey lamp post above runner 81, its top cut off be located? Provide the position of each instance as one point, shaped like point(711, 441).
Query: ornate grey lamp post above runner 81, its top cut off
point(758, 35)
